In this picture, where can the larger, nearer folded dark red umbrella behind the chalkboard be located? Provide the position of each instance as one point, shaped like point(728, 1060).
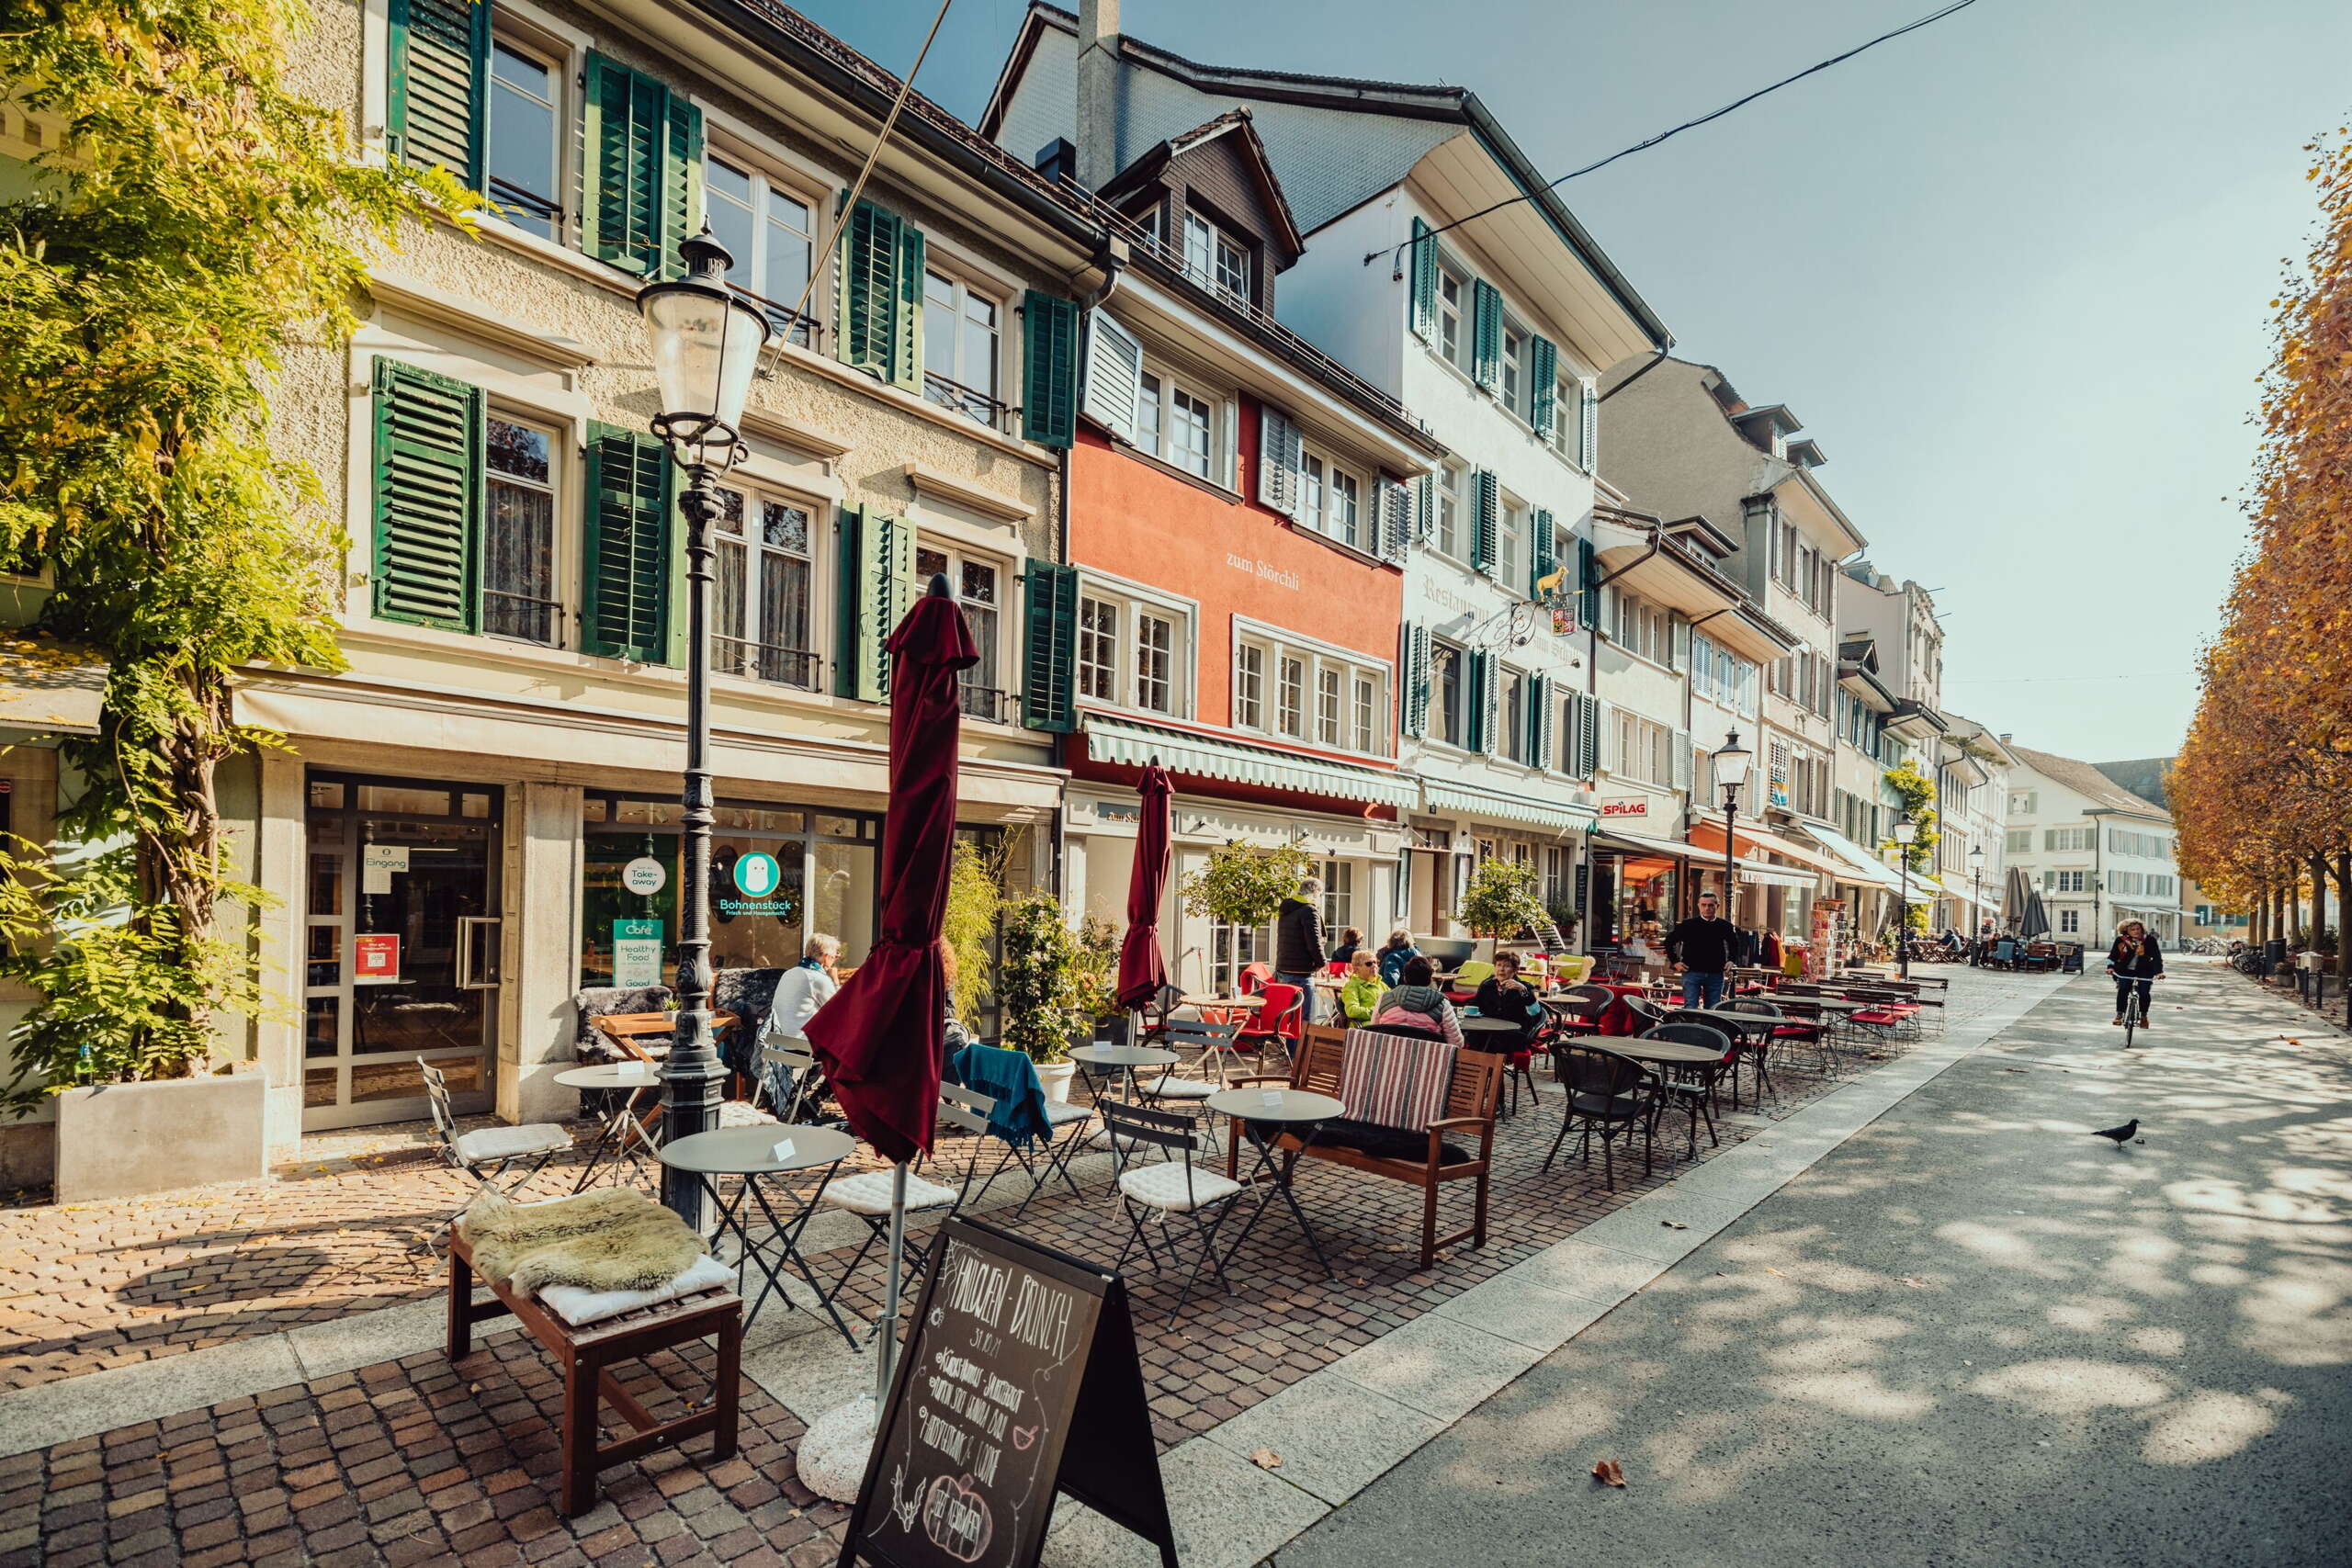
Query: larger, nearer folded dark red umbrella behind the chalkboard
point(881, 1036)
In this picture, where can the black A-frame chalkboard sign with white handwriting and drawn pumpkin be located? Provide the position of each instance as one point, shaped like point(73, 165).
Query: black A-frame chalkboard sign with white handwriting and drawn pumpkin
point(1020, 1381)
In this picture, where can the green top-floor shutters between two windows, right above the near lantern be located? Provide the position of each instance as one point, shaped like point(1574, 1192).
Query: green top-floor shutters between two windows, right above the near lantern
point(646, 170)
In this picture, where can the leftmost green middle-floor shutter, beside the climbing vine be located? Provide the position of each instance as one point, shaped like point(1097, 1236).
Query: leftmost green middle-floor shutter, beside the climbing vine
point(429, 497)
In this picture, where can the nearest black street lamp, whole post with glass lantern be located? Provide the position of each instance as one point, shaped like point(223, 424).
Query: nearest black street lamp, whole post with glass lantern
point(707, 347)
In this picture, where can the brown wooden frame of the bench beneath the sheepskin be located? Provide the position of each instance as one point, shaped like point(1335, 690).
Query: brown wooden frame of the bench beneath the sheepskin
point(587, 1358)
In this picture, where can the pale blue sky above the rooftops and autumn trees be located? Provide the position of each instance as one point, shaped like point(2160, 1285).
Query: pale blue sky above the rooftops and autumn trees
point(2012, 272)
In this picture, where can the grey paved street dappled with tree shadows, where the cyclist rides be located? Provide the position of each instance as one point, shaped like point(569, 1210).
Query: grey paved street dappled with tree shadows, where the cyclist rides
point(1972, 1334)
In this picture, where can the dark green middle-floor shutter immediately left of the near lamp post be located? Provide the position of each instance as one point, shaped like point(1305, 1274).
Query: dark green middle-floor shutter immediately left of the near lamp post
point(627, 547)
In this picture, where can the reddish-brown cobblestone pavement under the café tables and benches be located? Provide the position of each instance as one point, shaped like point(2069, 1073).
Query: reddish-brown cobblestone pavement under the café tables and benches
point(462, 1459)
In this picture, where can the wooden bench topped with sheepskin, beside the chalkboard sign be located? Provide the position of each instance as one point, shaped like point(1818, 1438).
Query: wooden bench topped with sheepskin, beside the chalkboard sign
point(610, 1240)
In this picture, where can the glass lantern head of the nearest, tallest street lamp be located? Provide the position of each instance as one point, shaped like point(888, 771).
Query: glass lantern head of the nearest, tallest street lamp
point(707, 347)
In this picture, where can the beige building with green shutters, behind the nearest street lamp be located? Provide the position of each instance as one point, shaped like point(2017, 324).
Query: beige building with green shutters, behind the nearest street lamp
point(479, 819)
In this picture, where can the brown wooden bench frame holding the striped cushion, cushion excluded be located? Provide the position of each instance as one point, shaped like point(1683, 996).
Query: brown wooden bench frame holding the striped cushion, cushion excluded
point(1424, 1160)
